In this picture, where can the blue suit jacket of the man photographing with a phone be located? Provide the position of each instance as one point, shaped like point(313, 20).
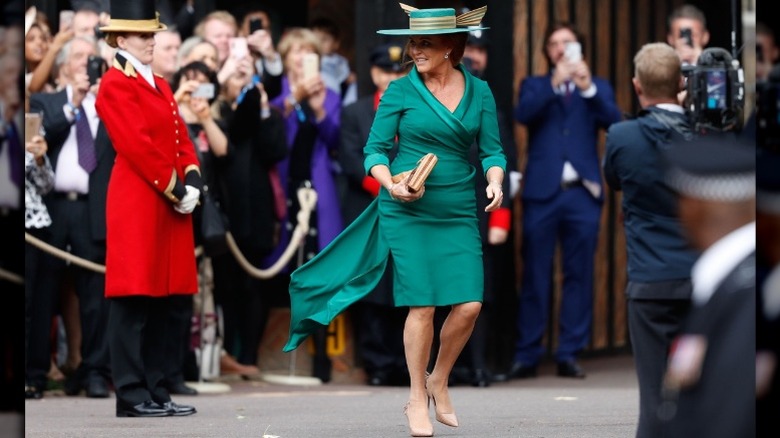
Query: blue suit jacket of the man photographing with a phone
point(559, 131)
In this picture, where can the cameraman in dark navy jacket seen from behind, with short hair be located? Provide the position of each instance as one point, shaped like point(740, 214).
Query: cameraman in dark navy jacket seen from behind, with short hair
point(659, 257)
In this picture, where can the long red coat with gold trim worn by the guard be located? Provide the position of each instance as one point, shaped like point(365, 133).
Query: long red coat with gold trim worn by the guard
point(150, 246)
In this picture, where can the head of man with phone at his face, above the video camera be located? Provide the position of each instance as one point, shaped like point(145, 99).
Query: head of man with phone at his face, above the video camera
point(688, 33)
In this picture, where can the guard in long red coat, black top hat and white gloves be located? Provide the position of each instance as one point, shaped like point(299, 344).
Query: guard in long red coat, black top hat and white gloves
point(155, 185)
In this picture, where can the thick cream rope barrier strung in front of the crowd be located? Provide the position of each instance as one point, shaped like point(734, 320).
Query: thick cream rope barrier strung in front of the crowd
point(307, 198)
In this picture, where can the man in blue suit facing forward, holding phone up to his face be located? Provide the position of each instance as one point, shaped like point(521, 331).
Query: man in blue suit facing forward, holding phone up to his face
point(563, 111)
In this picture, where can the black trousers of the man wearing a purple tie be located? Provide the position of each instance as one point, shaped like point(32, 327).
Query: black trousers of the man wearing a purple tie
point(70, 230)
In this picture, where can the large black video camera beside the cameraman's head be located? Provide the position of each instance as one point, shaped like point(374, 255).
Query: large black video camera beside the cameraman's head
point(715, 97)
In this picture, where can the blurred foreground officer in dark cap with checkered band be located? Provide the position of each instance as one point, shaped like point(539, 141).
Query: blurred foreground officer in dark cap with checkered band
point(710, 383)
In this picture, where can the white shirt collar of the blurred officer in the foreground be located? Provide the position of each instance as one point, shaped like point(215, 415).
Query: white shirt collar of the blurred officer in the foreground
point(719, 260)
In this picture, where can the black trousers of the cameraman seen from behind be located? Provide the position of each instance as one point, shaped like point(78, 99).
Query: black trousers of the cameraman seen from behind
point(653, 324)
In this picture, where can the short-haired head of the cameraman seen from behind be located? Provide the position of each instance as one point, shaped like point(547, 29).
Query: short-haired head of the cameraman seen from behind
point(657, 68)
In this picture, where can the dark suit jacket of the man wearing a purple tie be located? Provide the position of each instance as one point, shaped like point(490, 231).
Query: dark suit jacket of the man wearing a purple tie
point(57, 129)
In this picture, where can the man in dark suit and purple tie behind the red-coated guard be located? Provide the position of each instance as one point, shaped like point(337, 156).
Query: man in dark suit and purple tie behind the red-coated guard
point(83, 157)
